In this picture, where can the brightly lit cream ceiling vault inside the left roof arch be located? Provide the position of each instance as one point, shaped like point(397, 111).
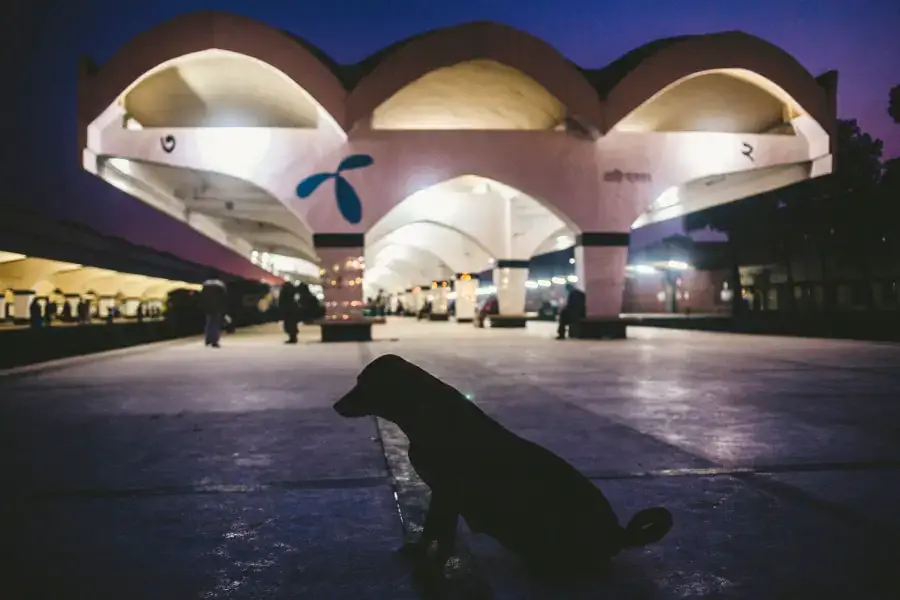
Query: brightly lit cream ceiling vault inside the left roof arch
point(216, 88)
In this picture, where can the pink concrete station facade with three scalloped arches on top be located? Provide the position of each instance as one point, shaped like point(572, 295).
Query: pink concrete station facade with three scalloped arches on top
point(569, 175)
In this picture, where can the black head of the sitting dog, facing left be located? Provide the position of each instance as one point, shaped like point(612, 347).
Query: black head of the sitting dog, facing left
point(383, 388)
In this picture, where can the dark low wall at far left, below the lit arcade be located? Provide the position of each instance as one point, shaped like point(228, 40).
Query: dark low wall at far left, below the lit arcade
point(20, 347)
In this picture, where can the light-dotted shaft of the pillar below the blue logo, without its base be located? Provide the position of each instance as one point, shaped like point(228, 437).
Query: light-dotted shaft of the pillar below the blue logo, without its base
point(343, 265)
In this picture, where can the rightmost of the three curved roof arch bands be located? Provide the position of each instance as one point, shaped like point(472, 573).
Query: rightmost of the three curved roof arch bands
point(729, 51)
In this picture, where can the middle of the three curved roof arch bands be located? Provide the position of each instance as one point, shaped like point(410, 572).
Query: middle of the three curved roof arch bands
point(408, 61)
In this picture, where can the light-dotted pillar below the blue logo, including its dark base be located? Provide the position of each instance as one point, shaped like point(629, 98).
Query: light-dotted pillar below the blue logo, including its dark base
point(342, 267)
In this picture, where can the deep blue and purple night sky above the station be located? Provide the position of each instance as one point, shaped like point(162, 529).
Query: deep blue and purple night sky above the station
point(40, 48)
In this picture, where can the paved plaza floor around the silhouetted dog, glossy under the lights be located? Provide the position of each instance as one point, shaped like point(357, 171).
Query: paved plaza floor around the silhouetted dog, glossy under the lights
point(175, 471)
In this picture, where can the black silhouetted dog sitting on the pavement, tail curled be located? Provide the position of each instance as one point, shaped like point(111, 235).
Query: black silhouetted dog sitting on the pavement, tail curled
point(533, 502)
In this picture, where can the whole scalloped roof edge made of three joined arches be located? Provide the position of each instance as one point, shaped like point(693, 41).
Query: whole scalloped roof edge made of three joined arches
point(349, 92)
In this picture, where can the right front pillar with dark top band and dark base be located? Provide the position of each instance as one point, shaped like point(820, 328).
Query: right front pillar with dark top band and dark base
point(600, 261)
